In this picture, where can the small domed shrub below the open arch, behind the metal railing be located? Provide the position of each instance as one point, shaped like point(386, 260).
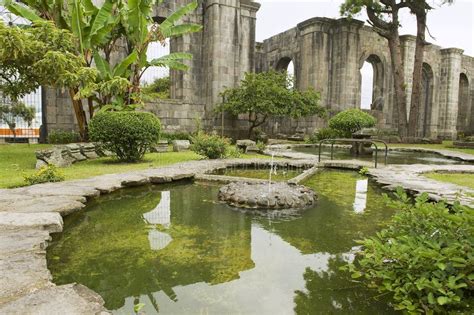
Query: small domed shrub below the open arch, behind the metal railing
point(349, 121)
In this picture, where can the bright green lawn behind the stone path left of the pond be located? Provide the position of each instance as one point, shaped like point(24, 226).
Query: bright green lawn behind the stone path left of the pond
point(17, 160)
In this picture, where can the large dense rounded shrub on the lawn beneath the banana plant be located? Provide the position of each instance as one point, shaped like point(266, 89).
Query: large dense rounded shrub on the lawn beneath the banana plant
point(127, 134)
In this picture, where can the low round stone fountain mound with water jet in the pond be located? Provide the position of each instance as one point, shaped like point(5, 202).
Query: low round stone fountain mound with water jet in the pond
point(278, 195)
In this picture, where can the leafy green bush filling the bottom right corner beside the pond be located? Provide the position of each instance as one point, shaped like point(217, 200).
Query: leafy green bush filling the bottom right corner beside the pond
point(424, 257)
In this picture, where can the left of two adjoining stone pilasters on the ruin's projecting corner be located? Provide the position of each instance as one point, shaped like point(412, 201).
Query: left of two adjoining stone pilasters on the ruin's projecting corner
point(314, 64)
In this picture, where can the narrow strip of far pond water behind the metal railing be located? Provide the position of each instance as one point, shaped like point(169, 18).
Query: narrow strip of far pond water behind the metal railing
point(393, 157)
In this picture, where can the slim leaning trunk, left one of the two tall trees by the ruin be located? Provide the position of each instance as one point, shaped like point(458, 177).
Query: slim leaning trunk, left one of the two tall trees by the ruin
point(399, 83)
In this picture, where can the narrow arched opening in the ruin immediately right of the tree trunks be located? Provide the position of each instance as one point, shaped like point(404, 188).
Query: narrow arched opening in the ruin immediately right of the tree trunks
point(426, 102)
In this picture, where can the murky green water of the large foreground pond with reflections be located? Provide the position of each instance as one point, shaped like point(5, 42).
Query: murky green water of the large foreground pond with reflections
point(177, 250)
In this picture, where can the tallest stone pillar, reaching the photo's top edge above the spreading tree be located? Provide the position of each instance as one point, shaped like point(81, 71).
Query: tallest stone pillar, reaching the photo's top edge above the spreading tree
point(229, 45)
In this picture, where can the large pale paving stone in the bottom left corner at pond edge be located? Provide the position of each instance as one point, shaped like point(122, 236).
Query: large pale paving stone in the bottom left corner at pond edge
point(70, 299)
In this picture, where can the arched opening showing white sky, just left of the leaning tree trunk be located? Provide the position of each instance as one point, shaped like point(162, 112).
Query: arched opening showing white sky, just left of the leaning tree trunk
point(371, 82)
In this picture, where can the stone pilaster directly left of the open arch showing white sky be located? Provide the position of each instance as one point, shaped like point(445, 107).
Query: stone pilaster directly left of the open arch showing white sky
point(344, 66)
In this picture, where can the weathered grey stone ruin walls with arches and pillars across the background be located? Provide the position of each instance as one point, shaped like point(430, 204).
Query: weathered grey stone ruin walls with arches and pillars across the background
point(328, 55)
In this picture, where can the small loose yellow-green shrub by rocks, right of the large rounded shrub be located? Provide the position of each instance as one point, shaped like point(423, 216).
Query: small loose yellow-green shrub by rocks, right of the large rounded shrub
point(210, 146)
